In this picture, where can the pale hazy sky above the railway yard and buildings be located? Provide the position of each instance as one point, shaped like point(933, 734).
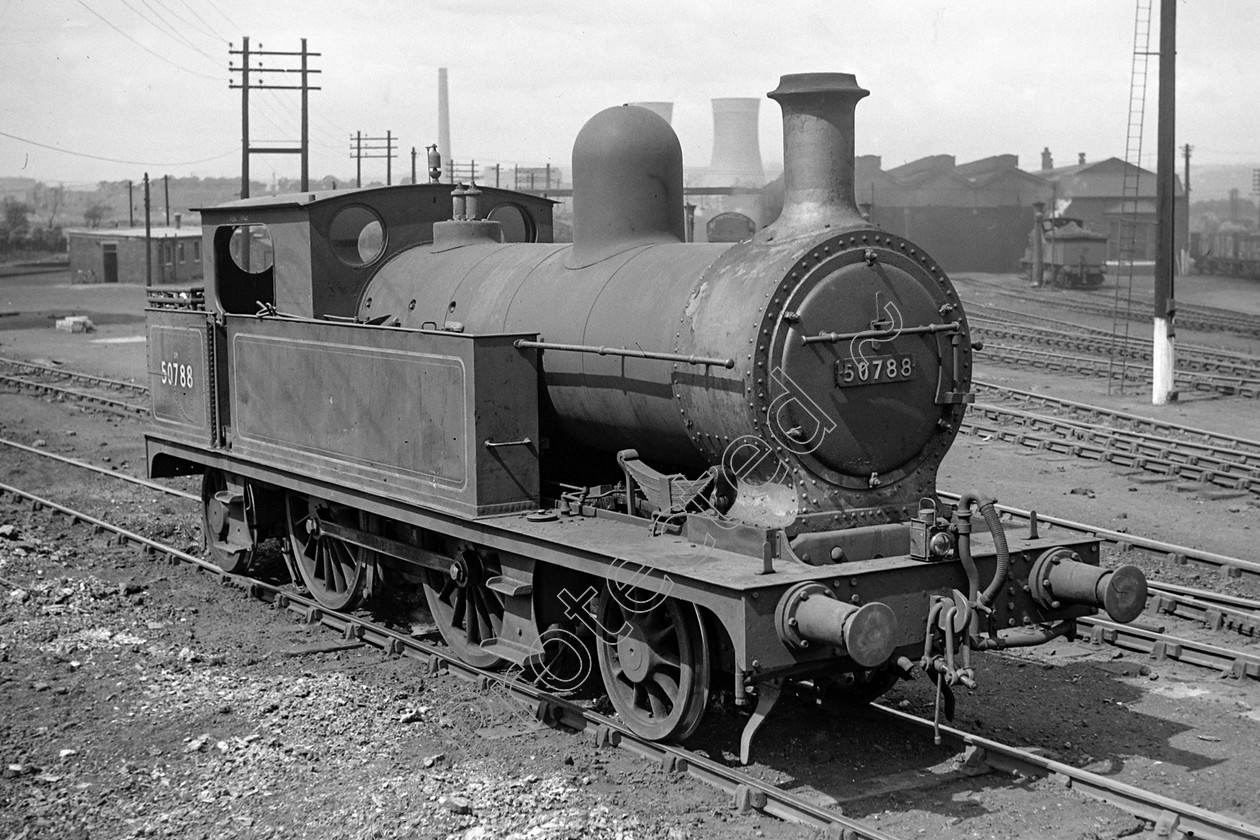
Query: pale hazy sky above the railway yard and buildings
point(144, 84)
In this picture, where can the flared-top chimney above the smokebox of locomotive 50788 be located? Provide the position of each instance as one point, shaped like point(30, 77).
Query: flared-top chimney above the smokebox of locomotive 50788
point(818, 150)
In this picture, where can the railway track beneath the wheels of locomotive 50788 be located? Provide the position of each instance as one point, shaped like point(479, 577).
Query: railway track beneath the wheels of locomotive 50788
point(745, 792)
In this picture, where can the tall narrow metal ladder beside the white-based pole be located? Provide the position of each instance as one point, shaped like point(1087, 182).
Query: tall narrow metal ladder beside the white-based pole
point(1131, 191)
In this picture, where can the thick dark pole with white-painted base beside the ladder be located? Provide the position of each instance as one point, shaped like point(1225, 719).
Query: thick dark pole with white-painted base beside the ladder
point(1165, 348)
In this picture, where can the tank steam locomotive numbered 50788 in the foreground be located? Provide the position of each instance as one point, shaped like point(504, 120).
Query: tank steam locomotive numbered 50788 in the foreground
point(677, 468)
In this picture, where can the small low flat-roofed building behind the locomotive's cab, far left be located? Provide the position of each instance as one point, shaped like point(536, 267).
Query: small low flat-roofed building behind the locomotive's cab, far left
point(118, 256)
